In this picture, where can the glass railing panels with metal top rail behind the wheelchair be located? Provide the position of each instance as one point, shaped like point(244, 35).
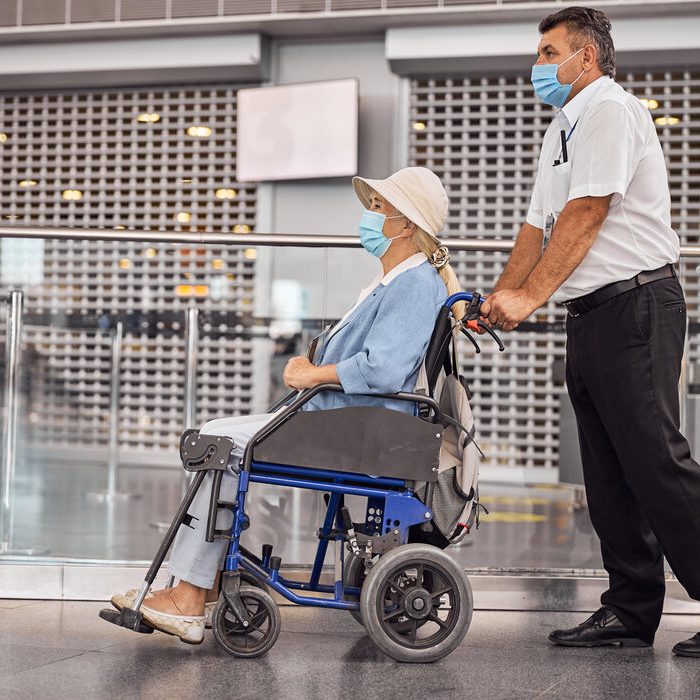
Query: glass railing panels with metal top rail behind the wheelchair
point(111, 348)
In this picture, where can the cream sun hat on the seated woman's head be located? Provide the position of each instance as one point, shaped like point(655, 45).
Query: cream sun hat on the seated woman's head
point(416, 192)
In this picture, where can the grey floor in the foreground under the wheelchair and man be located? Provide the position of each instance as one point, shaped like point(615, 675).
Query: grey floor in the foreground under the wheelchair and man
point(63, 650)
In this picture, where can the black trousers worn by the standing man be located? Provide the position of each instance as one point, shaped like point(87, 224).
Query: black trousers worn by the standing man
point(643, 486)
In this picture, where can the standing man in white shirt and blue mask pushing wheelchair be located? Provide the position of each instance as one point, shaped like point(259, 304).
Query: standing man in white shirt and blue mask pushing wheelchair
point(598, 239)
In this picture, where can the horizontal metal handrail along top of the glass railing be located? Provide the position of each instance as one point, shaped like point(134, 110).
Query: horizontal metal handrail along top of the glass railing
point(250, 239)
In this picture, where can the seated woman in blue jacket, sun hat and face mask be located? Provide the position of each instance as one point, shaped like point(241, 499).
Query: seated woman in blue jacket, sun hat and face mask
point(377, 347)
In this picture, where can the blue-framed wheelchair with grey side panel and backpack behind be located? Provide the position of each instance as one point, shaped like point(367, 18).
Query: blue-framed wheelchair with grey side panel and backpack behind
point(395, 579)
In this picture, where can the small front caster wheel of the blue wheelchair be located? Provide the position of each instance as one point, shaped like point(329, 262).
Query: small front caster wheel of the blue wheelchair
point(259, 635)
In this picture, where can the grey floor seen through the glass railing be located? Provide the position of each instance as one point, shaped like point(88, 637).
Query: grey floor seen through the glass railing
point(528, 527)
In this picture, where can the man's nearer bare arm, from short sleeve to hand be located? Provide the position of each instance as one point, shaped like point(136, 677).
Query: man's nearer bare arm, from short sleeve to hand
point(572, 238)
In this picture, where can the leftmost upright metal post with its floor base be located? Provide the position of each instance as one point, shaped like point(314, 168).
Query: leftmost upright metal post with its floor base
point(13, 350)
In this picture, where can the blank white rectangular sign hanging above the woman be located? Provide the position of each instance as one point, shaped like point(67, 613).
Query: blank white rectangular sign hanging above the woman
point(291, 132)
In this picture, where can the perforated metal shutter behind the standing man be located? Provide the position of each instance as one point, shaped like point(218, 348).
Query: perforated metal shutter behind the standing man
point(482, 136)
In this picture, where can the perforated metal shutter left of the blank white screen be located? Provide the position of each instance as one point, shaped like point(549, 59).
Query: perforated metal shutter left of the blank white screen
point(124, 159)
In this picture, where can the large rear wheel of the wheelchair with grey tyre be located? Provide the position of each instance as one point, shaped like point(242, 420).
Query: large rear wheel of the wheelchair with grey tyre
point(430, 589)
